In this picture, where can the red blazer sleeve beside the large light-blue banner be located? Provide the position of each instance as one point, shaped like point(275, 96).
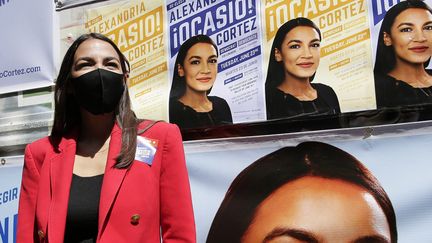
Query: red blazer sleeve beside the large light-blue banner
point(177, 220)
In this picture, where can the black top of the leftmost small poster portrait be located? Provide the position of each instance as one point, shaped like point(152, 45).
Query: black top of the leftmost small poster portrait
point(186, 117)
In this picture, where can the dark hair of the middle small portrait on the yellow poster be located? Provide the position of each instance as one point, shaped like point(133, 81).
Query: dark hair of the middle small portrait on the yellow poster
point(276, 72)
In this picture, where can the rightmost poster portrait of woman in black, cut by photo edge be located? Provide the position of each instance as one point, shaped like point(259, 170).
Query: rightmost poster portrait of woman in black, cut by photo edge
point(403, 52)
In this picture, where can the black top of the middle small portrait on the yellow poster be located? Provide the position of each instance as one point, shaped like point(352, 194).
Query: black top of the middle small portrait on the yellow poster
point(283, 105)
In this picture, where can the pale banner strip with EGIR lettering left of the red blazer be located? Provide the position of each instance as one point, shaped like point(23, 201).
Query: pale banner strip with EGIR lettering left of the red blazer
point(10, 183)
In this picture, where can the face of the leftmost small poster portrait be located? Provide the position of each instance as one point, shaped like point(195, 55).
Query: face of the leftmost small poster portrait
point(199, 68)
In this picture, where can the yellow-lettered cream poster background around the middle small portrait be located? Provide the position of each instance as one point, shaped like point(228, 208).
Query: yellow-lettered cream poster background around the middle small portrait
point(346, 53)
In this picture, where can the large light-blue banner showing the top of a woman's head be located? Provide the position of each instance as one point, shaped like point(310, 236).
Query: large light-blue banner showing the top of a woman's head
point(332, 186)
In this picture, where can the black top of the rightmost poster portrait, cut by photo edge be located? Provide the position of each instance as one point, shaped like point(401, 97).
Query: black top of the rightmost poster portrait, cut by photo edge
point(391, 92)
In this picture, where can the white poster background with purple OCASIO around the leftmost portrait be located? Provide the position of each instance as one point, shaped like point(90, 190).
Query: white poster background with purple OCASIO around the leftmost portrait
point(235, 27)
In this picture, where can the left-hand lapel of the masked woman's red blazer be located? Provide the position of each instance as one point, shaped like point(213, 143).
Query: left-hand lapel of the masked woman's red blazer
point(60, 179)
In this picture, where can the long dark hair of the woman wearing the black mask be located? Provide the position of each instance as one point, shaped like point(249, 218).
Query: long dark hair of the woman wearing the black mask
point(67, 115)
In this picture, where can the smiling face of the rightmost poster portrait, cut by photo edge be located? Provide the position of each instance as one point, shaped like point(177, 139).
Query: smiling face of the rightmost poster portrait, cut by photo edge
point(411, 38)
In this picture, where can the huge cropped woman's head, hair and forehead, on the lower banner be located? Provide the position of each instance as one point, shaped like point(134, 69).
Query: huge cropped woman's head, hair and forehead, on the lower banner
point(313, 192)
